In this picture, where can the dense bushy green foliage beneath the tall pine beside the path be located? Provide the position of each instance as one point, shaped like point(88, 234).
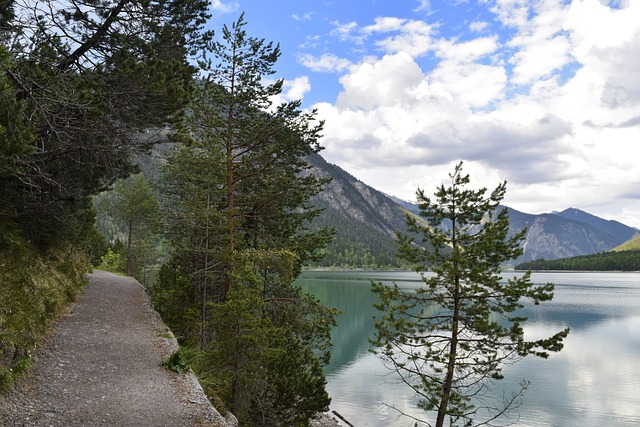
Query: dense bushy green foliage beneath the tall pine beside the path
point(270, 342)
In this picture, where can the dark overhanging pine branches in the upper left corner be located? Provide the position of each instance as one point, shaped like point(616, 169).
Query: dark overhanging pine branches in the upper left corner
point(92, 79)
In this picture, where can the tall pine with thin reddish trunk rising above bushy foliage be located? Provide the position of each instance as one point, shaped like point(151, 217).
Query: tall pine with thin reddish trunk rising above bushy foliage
point(263, 148)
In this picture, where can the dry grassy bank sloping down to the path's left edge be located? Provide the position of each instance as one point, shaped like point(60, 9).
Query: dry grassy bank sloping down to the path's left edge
point(35, 289)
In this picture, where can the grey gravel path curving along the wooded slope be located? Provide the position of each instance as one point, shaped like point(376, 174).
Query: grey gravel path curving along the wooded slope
point(101, 367)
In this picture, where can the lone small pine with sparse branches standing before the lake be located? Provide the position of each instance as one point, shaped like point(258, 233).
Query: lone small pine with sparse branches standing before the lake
point(450, 339)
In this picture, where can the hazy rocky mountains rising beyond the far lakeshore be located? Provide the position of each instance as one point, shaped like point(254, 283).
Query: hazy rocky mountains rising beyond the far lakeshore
point(366, 221)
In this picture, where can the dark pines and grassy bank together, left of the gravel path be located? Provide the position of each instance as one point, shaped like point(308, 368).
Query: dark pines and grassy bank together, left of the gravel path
point(77, 89)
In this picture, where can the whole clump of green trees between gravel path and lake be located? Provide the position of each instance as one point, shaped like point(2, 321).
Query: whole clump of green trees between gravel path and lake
point(234, 195)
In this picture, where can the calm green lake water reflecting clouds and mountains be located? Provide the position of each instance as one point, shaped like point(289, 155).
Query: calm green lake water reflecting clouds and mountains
point(593, 381)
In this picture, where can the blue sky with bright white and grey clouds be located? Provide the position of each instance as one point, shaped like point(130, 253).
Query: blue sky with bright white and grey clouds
point(543, 94)
